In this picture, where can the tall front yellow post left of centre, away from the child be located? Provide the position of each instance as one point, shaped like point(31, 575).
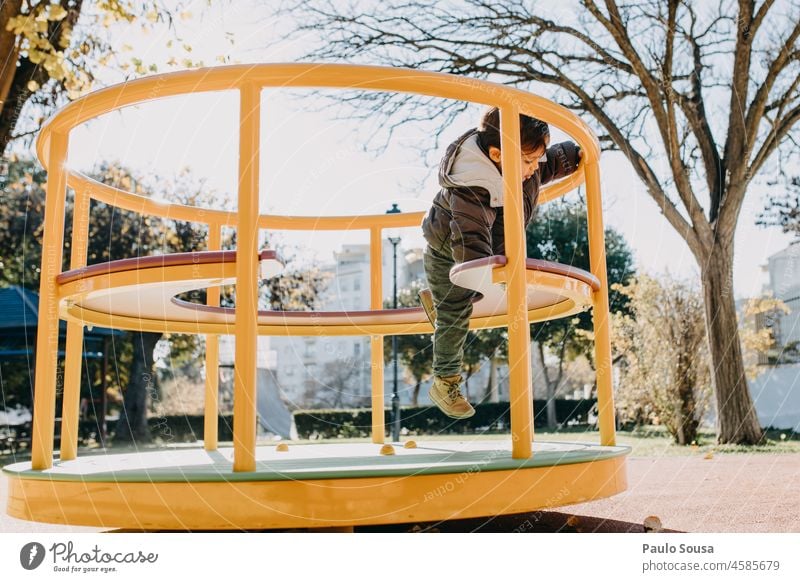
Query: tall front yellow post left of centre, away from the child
point(244, 389)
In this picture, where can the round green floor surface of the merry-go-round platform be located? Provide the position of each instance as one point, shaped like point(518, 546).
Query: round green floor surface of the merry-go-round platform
point(313, 461)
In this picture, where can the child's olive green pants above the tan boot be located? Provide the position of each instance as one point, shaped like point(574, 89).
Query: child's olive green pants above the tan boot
point(453, 310)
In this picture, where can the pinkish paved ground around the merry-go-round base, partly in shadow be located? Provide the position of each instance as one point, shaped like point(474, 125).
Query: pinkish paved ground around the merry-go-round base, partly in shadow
point(726, 493)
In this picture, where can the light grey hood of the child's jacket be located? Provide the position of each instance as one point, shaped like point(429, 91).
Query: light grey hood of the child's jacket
point(466, 165)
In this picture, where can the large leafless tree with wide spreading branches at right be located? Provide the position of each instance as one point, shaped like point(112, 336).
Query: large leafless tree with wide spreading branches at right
point(716, 83)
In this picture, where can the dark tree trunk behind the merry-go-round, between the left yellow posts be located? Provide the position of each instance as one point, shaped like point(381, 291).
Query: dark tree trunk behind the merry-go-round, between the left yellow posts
point(132, 423)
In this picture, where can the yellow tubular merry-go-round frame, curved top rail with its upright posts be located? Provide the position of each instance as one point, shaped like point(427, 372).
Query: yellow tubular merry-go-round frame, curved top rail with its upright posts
point(249, 80)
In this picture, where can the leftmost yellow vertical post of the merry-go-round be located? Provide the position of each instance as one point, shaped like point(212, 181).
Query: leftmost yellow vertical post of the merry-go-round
point(44, 400)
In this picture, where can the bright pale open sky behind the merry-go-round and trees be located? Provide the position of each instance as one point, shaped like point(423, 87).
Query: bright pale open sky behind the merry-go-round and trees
point(313, 163)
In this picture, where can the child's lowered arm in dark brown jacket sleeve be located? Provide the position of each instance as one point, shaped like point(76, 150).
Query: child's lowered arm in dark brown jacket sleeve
point(471, 224)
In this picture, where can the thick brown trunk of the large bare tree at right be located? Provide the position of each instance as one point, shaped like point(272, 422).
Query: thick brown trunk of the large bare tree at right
point(737, 422)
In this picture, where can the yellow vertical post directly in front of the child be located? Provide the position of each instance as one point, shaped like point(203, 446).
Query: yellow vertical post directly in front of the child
point(519, 358)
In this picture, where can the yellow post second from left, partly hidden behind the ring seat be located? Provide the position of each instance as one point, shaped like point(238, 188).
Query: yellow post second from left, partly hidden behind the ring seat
point(74, 344)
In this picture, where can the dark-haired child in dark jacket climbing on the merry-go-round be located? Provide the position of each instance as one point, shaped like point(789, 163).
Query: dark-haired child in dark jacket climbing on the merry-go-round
point(466, 223)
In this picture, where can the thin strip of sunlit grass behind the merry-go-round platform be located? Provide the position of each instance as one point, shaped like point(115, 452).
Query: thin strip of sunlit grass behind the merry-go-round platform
point(648, 441)
